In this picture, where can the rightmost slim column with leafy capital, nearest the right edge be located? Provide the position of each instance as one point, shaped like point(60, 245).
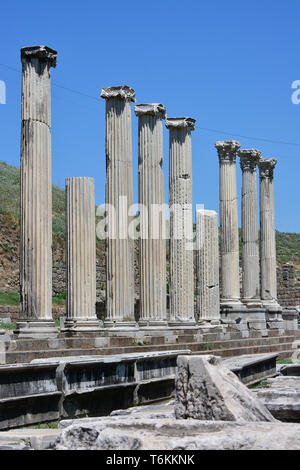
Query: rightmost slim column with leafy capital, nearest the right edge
point(267, 239)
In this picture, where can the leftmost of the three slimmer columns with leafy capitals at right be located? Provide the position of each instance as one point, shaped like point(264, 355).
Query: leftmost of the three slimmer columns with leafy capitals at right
point(229, 230)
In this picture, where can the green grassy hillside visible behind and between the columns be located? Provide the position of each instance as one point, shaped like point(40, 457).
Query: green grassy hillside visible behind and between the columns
point(288, 244)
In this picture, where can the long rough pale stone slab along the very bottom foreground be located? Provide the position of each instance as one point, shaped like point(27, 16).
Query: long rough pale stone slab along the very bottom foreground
point(170, 434)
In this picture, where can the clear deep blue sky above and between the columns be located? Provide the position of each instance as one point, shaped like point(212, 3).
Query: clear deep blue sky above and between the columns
point(228, 64)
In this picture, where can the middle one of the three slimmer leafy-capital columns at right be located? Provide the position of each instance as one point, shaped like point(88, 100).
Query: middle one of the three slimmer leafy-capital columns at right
point(249, 159)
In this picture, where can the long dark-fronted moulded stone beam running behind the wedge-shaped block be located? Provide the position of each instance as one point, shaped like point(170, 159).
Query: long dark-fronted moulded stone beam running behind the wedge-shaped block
point(60, 387)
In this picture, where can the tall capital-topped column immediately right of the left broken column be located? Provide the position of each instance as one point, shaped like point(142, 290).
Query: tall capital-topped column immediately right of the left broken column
point(119, 198)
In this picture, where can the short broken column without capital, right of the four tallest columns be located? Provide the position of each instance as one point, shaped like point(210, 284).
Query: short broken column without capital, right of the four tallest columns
point(207, 239)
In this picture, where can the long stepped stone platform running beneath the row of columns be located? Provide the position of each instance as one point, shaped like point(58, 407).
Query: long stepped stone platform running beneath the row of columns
point(220, 340)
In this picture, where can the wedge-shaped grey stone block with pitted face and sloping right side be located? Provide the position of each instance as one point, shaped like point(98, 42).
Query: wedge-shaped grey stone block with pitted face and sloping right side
point(207, 390)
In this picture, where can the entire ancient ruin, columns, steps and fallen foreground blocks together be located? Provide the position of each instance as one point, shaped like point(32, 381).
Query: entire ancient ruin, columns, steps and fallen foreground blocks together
point(130, 358)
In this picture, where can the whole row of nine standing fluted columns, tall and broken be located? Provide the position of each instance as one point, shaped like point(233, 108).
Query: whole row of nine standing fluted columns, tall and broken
point(217, 301)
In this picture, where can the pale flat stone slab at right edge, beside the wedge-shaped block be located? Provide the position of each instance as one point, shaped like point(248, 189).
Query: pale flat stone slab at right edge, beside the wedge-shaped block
point(281, 395)
